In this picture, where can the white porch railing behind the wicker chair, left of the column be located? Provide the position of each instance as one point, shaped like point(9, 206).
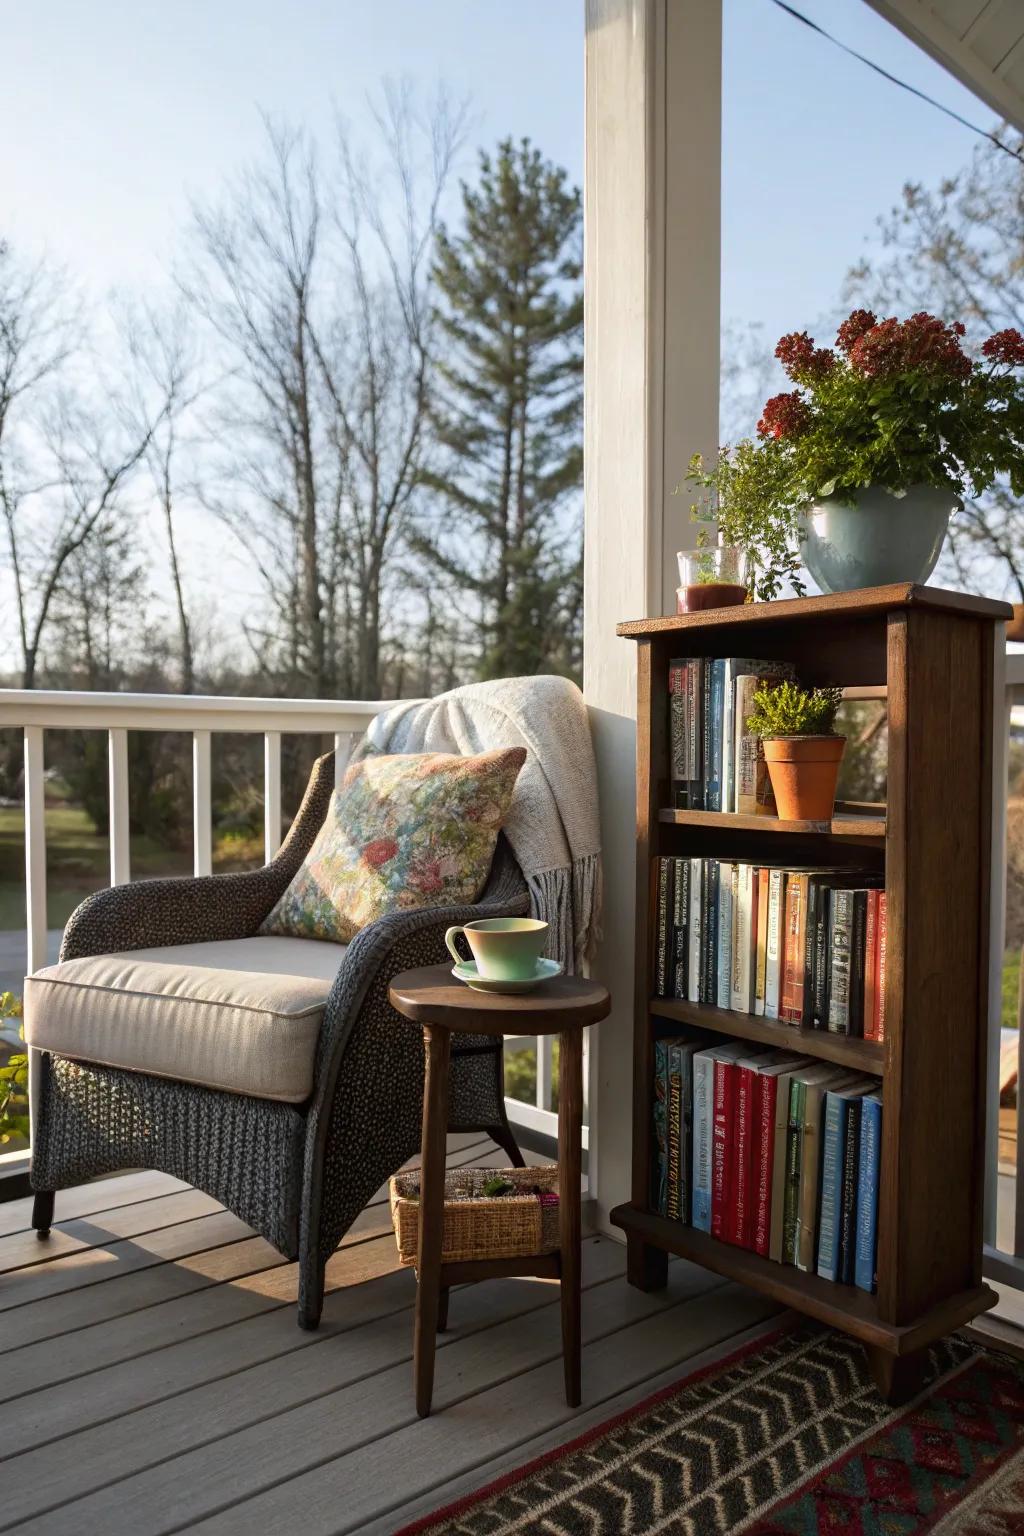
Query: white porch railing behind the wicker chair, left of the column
point(36, 712)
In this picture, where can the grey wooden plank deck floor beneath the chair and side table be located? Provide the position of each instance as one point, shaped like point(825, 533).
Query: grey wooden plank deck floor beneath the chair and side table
point(154, 1379)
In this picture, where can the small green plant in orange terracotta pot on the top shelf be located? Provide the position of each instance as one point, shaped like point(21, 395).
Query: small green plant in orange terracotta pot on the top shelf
point(802, 749)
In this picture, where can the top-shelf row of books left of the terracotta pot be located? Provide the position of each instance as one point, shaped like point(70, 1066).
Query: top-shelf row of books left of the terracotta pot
point(716, 764)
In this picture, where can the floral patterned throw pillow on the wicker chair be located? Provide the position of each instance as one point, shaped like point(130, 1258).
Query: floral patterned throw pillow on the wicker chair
point(400, 833)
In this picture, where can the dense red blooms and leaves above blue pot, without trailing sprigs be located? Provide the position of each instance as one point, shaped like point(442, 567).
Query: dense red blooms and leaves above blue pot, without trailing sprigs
point(899, 403)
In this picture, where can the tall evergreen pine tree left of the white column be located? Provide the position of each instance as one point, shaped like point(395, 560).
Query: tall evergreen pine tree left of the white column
point(507, 412)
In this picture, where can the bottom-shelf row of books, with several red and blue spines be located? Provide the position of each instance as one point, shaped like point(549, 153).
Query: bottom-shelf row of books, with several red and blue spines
point(771, 1153)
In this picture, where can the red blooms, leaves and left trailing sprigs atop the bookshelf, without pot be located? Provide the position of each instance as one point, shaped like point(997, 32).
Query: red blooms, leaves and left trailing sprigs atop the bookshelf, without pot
point(894, 405)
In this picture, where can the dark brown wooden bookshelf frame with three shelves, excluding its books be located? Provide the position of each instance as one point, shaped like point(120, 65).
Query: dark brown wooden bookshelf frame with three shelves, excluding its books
point(934, 652)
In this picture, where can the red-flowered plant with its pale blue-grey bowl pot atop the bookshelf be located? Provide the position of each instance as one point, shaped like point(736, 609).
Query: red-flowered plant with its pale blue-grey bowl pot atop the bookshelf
point(887, 435)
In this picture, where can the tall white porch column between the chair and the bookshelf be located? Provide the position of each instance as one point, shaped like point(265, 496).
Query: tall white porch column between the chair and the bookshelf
point(652, 399)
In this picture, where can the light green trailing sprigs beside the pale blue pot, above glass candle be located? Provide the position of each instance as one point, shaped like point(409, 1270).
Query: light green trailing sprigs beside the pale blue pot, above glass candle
point(747, 498)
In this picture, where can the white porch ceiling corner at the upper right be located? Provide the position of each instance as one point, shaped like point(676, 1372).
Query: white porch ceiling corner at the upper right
point(982, 42)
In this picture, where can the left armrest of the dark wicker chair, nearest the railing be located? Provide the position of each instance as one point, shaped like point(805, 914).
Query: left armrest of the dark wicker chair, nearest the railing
point(191, 912)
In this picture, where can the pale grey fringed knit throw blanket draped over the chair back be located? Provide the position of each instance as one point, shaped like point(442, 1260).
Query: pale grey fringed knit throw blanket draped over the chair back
point(552, 826)
